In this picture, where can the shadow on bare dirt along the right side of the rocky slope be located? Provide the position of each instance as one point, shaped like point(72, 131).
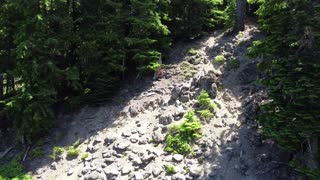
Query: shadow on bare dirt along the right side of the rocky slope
point(243, 152)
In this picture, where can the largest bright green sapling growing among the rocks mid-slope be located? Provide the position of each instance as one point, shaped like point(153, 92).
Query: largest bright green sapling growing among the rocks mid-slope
point(180, 137)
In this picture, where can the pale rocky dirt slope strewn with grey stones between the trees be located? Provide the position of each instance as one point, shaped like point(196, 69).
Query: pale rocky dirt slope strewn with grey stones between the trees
point(120, 138)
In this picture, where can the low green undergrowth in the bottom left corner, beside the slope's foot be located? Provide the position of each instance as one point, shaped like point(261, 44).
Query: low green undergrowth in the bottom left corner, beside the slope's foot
point(13, 170)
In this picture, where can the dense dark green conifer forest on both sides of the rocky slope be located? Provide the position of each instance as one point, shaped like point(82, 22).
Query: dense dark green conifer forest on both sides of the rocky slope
point(73, 51)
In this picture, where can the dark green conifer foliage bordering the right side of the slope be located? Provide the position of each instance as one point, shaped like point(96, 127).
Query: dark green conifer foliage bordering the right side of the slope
point(291, 69)
